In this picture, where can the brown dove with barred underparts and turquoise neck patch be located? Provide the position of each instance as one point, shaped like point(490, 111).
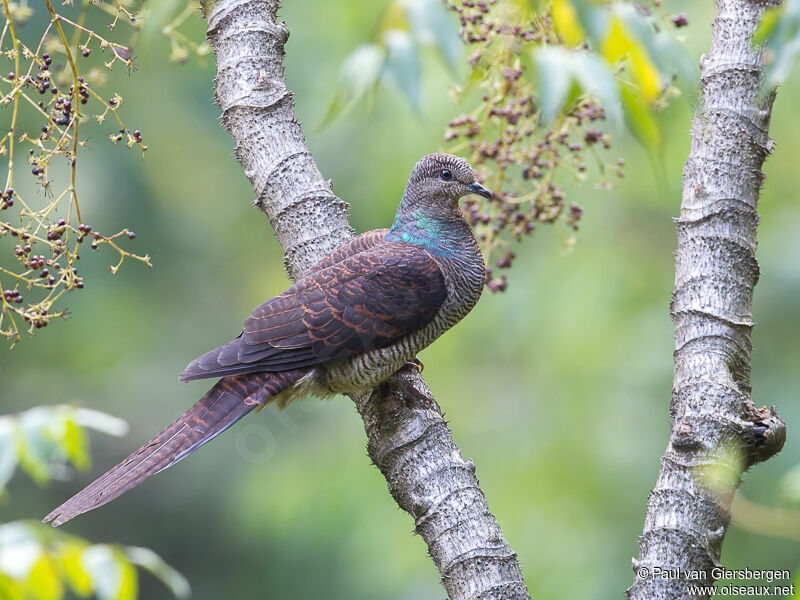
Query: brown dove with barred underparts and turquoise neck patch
point(349, 323)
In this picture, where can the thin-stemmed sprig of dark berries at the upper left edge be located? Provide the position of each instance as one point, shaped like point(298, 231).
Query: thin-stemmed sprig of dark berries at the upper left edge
point(54, 86)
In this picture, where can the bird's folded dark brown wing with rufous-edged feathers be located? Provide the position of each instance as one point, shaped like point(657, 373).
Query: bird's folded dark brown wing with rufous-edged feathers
point(369, 300)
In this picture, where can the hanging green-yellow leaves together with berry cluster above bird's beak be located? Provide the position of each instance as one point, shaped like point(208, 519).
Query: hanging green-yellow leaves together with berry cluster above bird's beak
point(544, 80)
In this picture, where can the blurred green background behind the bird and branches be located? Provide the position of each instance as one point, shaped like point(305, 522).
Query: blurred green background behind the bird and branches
point(558, 389)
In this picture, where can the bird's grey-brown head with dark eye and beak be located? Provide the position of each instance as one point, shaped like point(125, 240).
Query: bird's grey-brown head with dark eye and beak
point(443, 177)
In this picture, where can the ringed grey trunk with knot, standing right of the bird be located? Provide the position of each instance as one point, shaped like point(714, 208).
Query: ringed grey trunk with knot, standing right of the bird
point(717, 431)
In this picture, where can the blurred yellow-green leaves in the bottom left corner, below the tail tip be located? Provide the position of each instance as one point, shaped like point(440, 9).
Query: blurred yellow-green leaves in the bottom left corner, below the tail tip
point(37, 562)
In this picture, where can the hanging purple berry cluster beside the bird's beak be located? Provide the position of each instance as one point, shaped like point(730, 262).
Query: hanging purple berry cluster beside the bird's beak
point(521, 161)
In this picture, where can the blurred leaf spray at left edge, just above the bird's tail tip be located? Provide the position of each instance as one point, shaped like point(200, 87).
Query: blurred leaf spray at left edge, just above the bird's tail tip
point(43, 439)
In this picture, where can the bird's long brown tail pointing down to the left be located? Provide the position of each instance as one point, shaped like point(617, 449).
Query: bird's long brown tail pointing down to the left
point(222, 406)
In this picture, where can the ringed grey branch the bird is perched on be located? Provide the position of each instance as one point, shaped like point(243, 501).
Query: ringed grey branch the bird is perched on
point(407, 439)
